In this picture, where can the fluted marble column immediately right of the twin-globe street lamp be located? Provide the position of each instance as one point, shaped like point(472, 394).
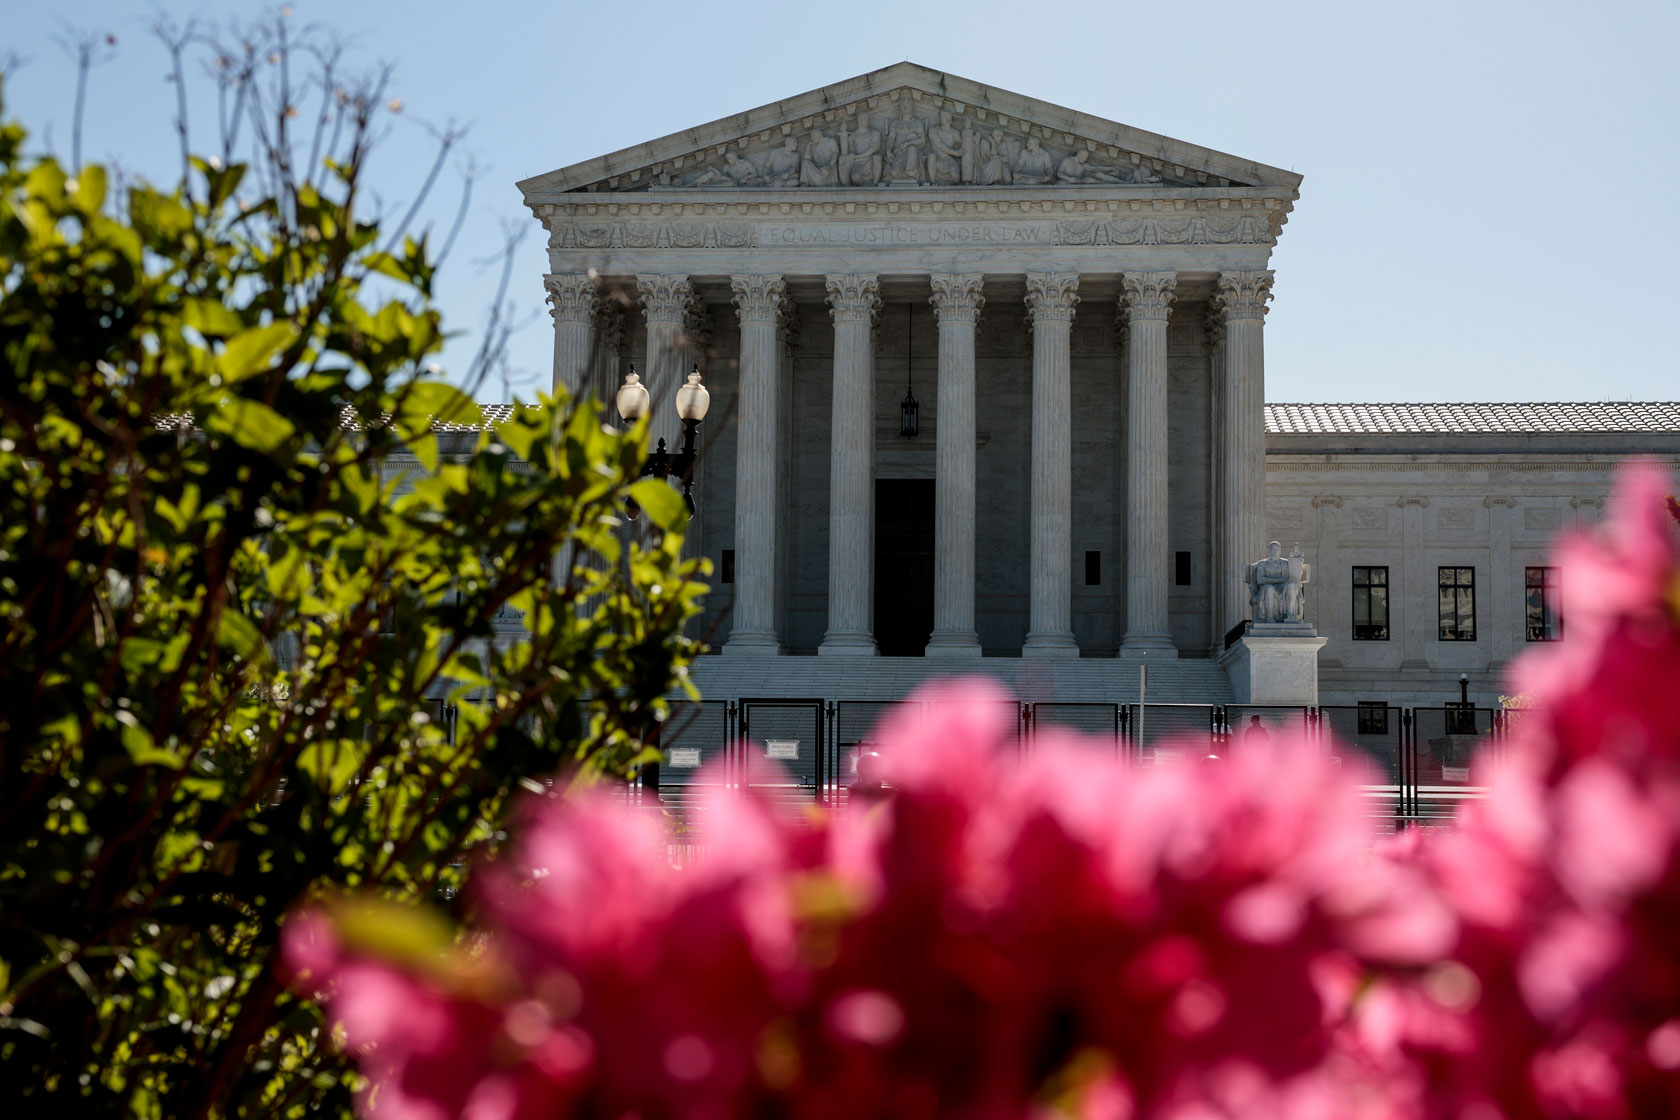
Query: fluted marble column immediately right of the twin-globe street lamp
point(759, 463)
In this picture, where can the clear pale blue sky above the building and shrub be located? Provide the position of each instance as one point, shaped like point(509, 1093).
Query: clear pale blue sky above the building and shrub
point(1489, 204)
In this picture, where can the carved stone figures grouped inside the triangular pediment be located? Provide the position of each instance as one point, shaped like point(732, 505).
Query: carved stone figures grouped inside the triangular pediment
point(910, 152)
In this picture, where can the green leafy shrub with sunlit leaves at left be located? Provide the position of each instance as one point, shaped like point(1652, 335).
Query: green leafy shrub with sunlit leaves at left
point(251, 557)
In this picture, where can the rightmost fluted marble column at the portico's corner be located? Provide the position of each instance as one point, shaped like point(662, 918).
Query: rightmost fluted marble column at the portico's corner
point(1241, 300)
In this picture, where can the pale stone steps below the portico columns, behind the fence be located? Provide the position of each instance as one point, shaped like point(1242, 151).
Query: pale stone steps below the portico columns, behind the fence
point(1086, 681)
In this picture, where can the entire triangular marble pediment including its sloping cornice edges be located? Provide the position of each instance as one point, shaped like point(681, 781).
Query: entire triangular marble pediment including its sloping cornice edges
point(906, 127)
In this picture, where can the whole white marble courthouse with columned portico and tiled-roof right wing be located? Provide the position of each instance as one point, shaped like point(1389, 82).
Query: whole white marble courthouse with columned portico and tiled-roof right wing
point(1078, 311)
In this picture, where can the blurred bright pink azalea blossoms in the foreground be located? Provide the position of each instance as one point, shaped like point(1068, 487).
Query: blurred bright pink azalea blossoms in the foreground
point(1063, 936)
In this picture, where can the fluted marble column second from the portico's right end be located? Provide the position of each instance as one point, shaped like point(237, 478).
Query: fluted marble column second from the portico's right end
point(1148, 301)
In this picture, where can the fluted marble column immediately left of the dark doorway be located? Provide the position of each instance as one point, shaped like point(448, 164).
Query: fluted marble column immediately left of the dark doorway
point(853, 301)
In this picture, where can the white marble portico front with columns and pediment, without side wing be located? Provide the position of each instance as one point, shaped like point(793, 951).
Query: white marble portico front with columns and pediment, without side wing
point(1078, 306)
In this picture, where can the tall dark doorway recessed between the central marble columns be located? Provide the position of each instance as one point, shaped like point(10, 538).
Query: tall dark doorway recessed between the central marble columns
point(905, 565)
